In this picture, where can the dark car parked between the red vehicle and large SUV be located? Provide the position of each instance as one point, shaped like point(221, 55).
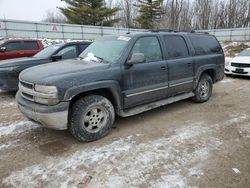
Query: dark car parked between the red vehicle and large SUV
point(10, 69)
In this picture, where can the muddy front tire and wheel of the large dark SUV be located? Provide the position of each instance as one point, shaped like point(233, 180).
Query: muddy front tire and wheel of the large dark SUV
point(92, 118)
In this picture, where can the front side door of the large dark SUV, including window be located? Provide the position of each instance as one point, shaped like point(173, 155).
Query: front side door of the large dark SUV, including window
point(147, 81)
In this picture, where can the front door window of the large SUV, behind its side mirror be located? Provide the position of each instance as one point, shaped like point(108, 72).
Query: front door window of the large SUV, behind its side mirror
point(150, 47)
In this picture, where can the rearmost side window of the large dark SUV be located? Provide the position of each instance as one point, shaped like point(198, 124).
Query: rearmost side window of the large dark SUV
point(205, 44)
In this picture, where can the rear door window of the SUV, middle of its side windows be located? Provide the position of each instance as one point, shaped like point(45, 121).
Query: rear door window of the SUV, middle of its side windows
point(176, 47)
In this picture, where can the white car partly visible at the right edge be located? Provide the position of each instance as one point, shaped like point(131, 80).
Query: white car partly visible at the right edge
point(240, 65)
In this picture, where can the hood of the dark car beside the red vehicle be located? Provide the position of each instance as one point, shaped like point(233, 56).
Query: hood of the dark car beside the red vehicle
point(17, 61)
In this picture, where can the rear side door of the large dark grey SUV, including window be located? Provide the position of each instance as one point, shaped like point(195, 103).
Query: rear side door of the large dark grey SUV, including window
point(180, 65)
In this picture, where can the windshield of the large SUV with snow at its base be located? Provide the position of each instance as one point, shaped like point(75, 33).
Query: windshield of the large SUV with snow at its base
point(108, 50)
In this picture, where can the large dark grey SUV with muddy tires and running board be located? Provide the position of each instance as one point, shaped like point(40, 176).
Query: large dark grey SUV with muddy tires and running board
point(120, 75)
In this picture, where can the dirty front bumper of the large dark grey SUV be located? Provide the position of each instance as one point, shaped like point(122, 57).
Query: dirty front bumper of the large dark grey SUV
point(54, 117)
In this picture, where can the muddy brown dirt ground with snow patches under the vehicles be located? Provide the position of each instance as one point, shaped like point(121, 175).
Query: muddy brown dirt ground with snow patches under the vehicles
point(180, 145)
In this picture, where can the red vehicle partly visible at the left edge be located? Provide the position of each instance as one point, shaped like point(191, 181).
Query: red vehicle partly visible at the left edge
point(14, 48)
